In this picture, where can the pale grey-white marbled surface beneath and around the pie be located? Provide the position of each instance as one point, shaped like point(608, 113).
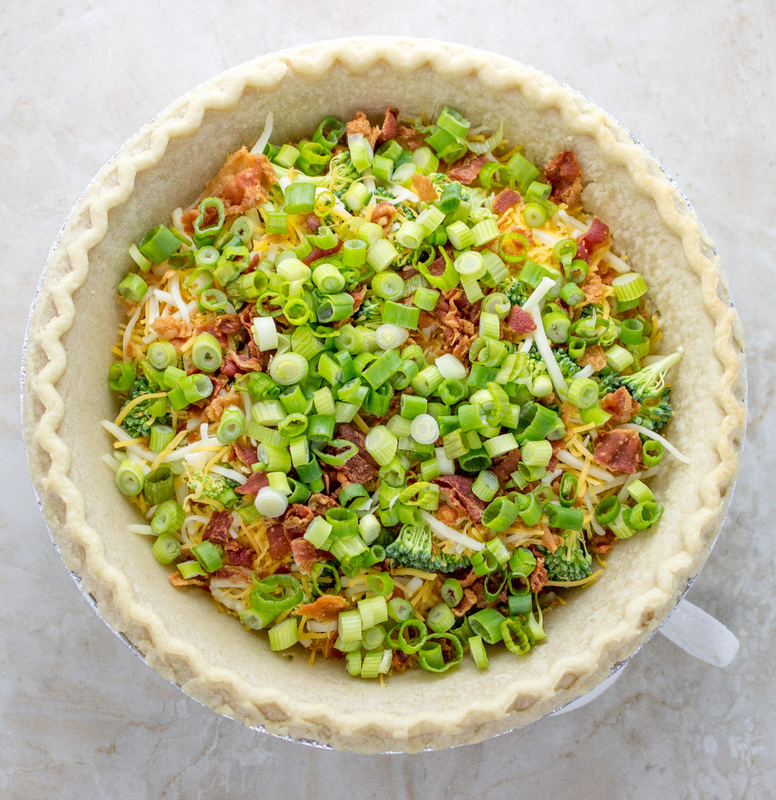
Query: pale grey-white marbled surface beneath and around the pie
point(80, 716)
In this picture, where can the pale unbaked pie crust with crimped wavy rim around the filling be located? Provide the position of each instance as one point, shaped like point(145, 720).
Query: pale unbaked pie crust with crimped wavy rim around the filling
point(180, 633)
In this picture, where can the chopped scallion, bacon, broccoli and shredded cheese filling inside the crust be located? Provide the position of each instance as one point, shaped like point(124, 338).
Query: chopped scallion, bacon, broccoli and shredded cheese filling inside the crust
point(386, 391)
